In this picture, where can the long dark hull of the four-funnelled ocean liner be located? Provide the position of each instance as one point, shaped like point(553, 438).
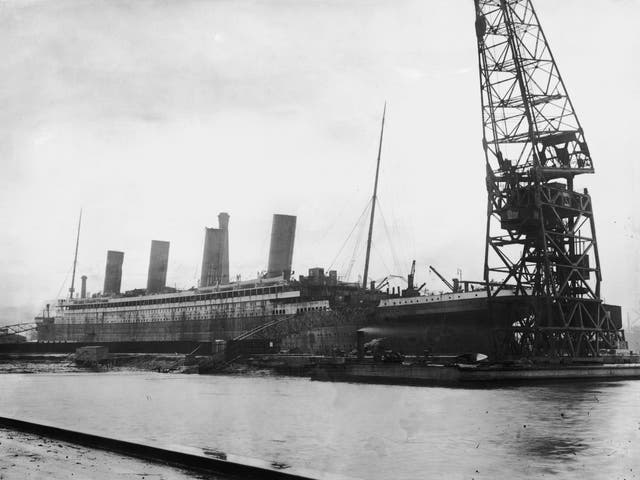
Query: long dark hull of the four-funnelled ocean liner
point(439, 324)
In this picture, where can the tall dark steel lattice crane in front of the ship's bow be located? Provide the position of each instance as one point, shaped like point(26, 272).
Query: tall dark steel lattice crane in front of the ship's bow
point(541, 239)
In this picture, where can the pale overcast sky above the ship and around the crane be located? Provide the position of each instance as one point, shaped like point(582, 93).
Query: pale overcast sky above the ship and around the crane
point(153, 116)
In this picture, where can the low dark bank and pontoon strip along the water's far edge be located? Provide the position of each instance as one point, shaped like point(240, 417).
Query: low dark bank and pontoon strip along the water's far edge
point(316, 368)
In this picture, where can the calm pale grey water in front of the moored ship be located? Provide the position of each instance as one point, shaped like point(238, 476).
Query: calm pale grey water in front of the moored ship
point(574, 430)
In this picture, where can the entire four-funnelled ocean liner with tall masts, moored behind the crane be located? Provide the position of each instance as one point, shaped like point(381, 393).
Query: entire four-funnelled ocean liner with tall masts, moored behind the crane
point(316, 313)
